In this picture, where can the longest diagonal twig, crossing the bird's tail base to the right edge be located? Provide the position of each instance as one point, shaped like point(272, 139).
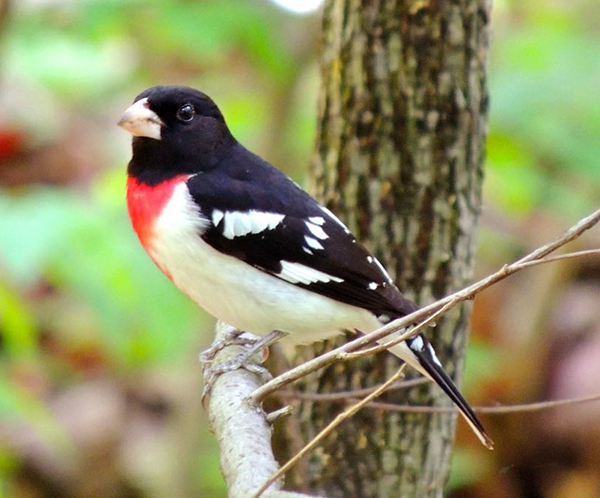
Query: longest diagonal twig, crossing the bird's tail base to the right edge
point(397, 325)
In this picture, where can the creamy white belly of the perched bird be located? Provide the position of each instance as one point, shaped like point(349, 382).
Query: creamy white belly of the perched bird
point(238, 293)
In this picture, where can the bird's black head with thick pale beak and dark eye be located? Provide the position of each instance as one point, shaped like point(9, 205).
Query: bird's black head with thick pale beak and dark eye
point(176, 130)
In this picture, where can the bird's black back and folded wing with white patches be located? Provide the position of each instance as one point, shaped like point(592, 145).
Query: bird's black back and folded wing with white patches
point(305, 245)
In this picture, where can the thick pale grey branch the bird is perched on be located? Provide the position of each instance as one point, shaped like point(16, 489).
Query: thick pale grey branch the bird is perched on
point(242, 431)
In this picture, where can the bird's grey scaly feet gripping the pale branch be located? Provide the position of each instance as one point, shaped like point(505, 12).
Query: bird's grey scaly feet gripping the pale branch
point(246, 360)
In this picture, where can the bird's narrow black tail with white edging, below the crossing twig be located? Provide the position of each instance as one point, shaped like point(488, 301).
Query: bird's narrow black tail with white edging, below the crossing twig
point(431, 365)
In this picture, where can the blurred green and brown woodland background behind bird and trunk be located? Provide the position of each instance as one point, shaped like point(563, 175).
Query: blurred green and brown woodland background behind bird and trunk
point(99, 377)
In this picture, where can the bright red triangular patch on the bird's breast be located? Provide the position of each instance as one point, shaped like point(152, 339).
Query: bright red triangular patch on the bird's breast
point(145, 203)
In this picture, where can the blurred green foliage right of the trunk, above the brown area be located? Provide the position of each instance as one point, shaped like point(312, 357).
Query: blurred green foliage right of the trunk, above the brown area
point(543, 148)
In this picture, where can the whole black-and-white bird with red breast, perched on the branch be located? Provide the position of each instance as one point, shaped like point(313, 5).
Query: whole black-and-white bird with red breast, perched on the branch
point(248, 244)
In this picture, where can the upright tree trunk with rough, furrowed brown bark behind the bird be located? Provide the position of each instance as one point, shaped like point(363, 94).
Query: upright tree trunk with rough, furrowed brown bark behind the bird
point(400, 146)
